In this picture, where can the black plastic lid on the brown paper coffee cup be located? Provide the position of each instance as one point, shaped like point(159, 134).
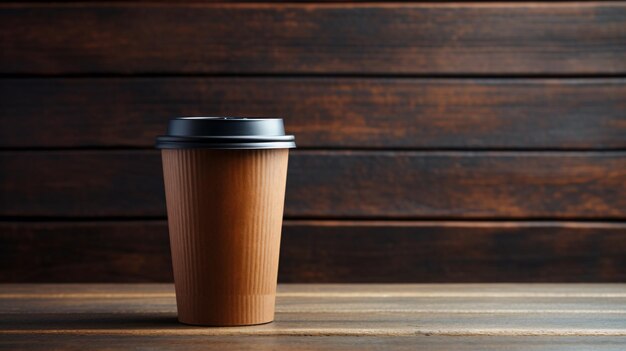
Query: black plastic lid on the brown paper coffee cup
point(225, 133)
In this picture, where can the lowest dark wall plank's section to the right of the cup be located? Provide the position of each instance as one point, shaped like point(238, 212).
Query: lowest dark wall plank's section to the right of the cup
point(453, 252)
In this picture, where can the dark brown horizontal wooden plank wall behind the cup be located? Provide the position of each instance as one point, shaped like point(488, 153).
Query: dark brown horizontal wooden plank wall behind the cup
point(438, 142)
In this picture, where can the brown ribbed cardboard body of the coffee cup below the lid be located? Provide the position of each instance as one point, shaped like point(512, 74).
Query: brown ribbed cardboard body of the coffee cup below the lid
point(225, 211)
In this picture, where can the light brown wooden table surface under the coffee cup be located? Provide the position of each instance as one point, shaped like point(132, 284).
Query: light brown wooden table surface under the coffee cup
point(328, 317)
